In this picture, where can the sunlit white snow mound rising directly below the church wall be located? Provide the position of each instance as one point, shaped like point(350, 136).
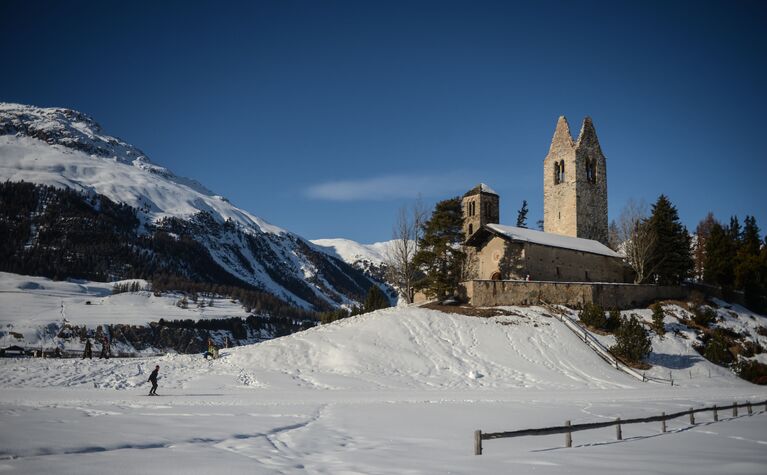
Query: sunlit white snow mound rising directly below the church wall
point(420, 348)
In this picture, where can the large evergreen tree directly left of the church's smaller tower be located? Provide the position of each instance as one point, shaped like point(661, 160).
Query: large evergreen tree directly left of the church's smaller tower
point(439, 251)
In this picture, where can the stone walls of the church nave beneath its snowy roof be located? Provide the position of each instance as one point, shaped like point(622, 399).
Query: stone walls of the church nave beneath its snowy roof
point(498, 258)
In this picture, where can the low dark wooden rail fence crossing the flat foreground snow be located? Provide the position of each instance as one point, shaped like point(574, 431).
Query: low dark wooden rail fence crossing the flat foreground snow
point(568, 428)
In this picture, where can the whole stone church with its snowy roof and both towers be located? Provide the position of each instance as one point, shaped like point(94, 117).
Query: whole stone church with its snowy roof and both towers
point(572, 247)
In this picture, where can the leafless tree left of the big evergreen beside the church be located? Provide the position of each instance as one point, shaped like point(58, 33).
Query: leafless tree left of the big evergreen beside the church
point(401, 270)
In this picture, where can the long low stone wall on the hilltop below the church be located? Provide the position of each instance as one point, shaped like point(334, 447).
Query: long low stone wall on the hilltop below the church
point(490, 293)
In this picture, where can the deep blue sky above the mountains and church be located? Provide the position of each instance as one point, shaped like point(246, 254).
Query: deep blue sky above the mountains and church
point(324, 117)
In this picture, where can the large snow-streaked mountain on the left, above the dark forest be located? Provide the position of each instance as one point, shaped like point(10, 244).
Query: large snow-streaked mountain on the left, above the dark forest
point(66, 149)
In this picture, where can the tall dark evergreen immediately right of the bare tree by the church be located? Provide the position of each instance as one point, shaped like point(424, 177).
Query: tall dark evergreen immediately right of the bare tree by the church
point(671, 257)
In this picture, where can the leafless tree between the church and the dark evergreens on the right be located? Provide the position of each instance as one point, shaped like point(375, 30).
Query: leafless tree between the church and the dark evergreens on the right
point(637, 239)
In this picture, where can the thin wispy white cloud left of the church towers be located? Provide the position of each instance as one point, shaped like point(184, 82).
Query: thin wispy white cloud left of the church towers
point(390, 187)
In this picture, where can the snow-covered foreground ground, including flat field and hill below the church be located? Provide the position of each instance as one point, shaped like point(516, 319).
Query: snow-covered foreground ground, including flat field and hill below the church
point(394, 391)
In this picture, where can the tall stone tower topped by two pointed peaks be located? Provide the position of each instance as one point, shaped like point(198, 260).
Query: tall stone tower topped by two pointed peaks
point(575, 184)
